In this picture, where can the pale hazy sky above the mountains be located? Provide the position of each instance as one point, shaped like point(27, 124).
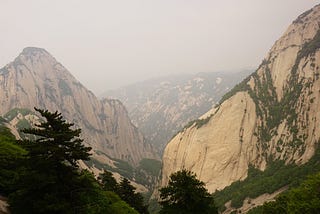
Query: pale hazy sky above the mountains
point(107, 44)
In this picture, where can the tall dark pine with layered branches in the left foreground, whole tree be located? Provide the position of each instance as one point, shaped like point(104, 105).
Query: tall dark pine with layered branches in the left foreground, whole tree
point(51, 175)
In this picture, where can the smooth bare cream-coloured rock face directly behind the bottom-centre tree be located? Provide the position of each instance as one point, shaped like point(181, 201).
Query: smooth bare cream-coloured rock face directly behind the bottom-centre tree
point(220, 150)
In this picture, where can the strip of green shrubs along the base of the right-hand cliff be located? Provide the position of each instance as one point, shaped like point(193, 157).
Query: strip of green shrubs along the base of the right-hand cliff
point(276, 176)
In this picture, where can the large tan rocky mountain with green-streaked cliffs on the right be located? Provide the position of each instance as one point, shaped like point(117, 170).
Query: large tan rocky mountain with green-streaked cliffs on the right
point(269, 118)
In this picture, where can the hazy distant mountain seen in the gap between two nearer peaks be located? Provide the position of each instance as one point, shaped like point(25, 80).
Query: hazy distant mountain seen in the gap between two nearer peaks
point(160, 107)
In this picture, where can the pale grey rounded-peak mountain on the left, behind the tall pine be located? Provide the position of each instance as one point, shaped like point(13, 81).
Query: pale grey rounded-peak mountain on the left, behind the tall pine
point(36, 79)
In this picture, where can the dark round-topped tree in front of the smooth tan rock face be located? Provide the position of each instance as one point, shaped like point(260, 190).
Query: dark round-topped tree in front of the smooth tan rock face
point(186, 194)
